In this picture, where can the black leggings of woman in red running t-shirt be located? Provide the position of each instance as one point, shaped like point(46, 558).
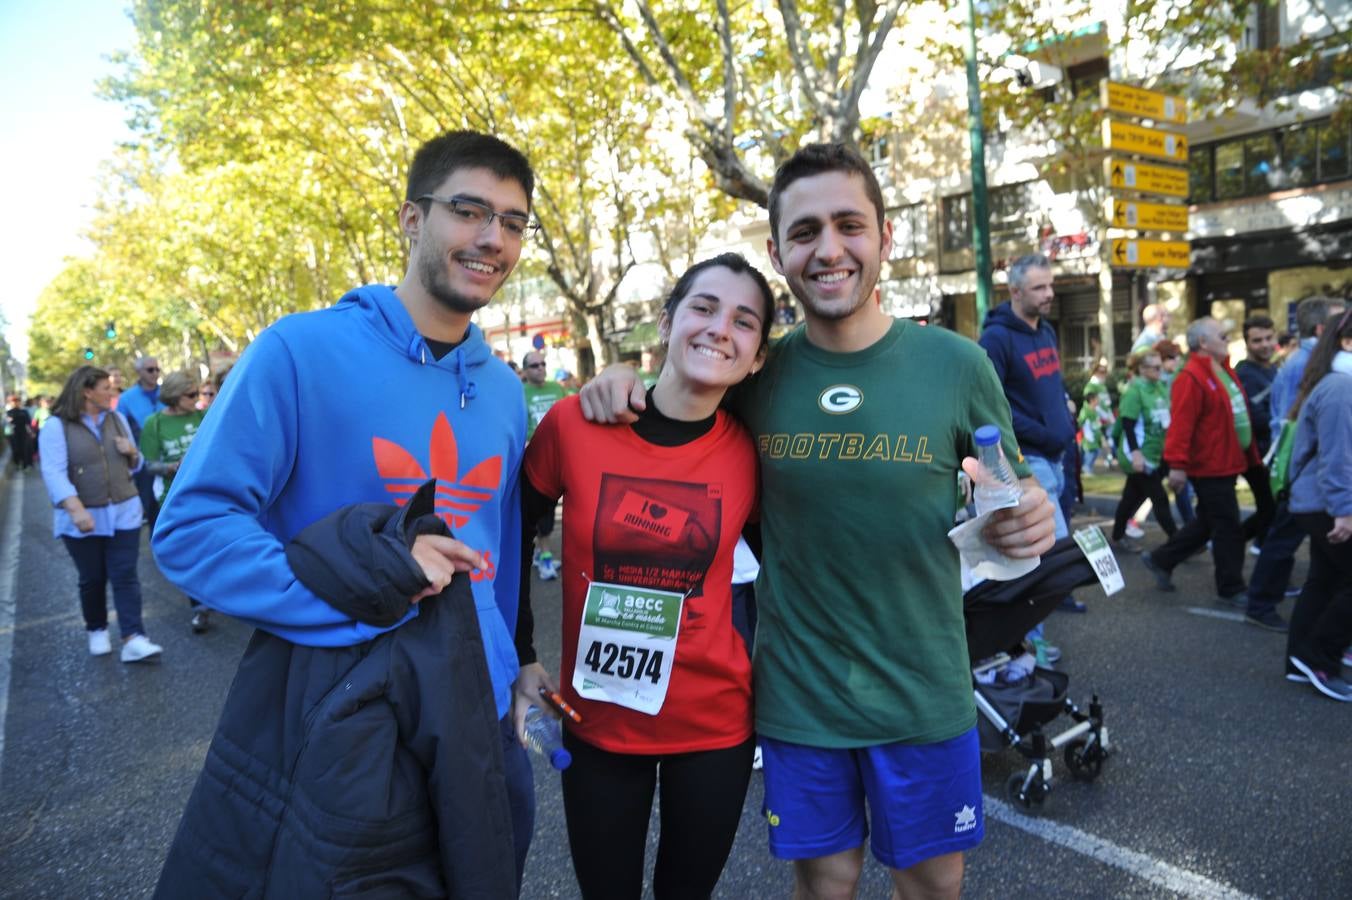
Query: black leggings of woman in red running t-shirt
point(609, 801)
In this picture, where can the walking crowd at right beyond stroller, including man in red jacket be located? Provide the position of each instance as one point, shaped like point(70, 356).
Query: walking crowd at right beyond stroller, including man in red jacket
point(1196, 429)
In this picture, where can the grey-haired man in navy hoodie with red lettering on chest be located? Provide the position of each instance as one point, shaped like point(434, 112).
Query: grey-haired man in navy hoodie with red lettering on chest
point(1023, 348)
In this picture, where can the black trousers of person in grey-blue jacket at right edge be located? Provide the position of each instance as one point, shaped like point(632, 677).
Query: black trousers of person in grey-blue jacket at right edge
point(1322, 624)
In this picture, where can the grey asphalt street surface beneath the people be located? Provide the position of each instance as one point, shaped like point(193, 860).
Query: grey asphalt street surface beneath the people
point(1227, 780)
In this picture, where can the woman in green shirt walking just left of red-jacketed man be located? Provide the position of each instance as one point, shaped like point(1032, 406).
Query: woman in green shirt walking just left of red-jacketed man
point(1144, 418)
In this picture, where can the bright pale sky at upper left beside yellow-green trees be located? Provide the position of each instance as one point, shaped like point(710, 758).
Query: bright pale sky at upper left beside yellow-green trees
point(55, 136)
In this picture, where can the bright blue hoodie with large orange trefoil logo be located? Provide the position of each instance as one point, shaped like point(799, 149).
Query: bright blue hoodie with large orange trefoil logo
point(337, 407)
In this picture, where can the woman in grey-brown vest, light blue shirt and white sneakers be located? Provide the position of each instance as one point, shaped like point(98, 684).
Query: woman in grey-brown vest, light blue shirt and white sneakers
point(89, 459)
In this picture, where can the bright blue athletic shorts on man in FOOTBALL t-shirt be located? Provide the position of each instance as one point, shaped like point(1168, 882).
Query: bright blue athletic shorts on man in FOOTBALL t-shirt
point(924, 801)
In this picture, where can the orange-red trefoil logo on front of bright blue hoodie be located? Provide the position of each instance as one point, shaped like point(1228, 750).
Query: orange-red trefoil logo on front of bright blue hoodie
point(458, 497)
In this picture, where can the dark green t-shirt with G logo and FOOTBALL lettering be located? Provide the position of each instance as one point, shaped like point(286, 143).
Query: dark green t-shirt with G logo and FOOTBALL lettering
point(861, 637)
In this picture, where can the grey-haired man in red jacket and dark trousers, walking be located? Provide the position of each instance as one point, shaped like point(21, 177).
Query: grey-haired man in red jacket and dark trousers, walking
point(1209, 443)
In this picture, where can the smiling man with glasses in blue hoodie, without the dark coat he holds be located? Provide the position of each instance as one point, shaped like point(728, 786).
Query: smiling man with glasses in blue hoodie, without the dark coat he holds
point(305, 429)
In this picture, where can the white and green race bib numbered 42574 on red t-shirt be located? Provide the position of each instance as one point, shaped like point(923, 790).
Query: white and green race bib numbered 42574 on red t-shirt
point(628, 645)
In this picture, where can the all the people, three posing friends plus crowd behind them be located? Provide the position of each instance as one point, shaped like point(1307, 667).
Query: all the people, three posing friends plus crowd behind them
point(374, 739)
